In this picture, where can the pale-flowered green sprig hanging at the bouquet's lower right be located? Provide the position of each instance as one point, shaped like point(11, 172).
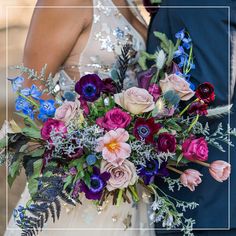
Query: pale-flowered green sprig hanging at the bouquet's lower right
point(164, 209)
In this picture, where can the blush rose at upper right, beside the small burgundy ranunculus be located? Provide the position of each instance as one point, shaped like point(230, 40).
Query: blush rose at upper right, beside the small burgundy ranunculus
point(179, 85)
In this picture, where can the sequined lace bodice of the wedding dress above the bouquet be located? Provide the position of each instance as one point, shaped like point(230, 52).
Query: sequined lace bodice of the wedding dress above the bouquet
point(110, 30)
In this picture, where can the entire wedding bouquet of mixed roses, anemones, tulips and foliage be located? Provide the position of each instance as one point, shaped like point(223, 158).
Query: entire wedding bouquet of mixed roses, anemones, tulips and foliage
point(102, 141)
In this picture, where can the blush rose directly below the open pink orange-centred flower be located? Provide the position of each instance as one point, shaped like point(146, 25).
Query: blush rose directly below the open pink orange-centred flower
point(121, 176)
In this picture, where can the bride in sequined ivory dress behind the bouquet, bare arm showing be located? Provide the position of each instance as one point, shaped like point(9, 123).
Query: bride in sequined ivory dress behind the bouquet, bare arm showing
point(76, 37)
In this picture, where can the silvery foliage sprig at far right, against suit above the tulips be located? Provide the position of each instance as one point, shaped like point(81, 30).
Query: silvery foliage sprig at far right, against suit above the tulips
point(216, 137)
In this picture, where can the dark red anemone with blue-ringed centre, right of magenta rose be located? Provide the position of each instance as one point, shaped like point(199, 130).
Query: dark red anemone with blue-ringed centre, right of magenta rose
point(145, 129)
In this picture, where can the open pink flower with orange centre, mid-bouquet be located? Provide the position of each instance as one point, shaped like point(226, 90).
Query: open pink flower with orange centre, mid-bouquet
point(114, 147)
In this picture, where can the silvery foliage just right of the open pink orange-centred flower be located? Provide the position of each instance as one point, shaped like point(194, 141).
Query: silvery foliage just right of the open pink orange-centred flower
point(141, 153)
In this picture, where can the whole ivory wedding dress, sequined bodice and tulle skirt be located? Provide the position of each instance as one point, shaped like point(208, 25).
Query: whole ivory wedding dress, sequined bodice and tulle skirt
point(110, 30)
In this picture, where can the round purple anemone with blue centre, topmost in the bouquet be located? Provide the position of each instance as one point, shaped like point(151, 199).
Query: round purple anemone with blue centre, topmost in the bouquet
point(89, 87)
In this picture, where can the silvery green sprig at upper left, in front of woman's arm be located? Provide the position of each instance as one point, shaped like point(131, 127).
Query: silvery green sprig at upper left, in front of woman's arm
point(48, 82)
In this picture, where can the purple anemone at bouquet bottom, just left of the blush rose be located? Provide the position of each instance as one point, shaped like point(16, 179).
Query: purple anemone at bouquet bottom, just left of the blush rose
point(98, 182)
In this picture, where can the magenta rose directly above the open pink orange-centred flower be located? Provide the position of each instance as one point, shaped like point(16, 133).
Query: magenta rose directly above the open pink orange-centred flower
point(114, 119)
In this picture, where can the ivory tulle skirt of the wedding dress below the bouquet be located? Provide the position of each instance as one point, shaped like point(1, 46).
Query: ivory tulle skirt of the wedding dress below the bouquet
point(88, 220)
